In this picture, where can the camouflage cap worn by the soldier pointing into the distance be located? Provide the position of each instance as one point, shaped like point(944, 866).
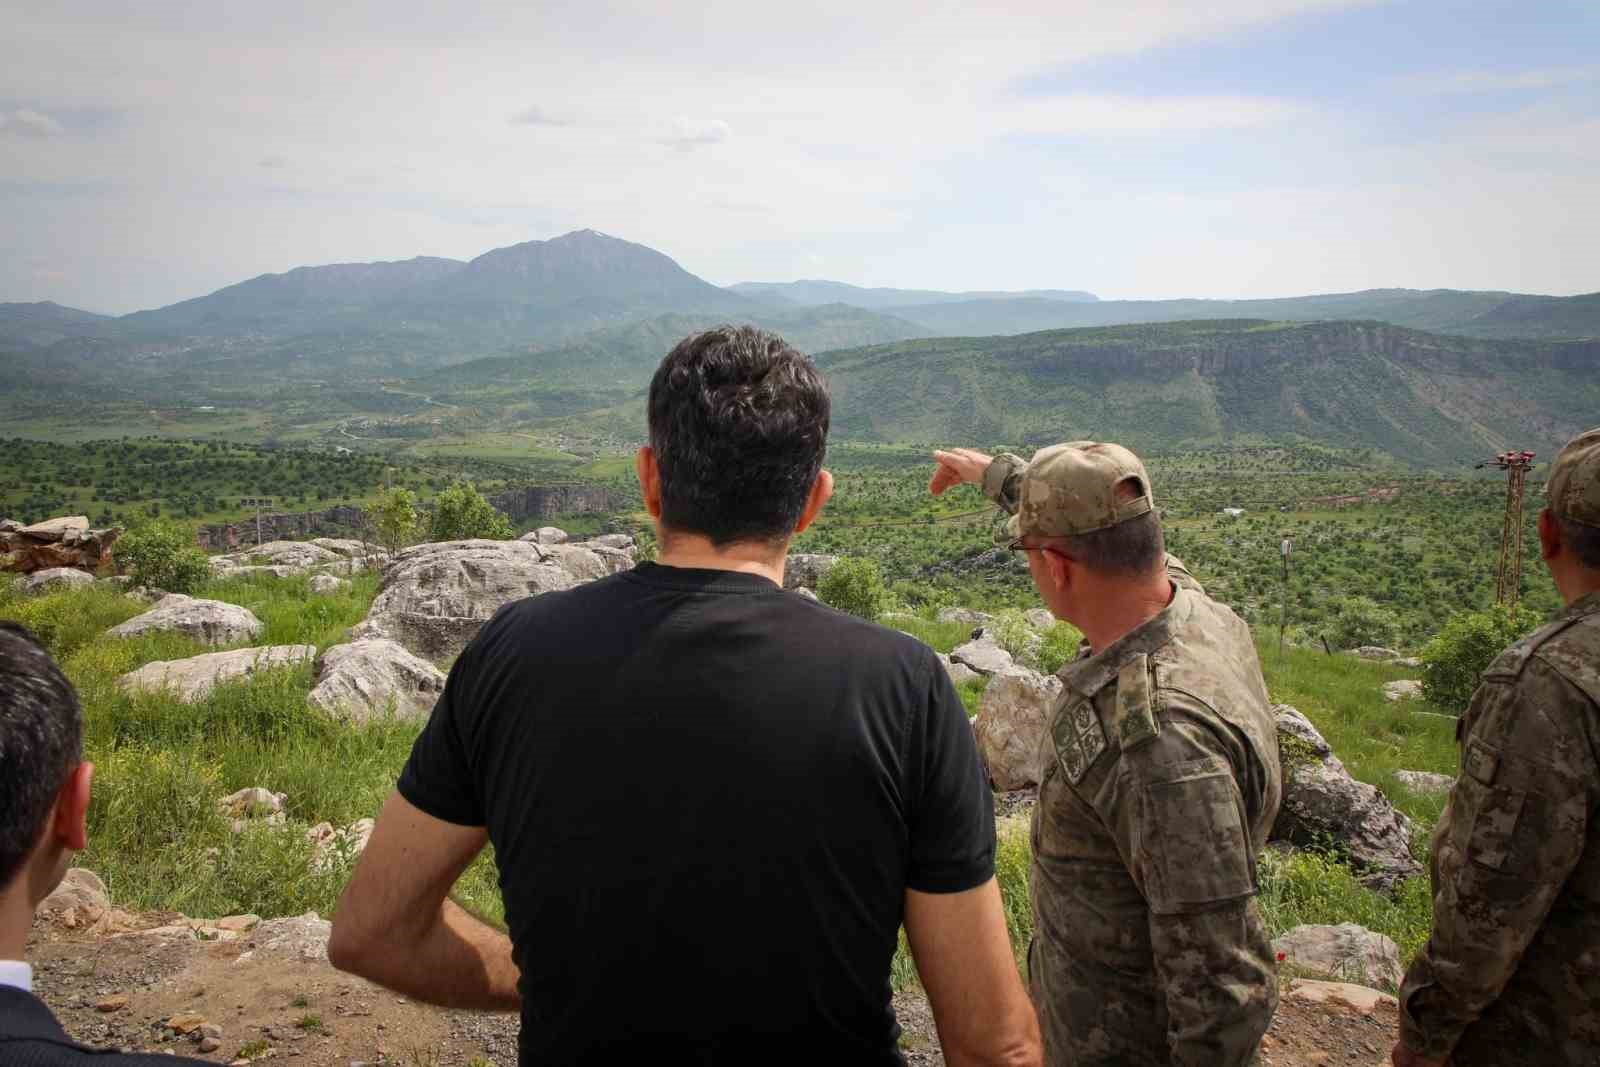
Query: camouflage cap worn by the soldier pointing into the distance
point(1071, 490)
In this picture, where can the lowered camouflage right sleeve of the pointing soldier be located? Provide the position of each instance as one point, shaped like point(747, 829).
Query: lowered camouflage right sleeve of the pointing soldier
point(1182, 825)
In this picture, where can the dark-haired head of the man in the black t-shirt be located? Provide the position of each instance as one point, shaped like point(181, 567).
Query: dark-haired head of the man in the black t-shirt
point(738, 430)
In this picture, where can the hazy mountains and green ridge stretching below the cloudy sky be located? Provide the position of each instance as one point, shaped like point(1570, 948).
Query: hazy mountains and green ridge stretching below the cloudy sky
point(570, 329)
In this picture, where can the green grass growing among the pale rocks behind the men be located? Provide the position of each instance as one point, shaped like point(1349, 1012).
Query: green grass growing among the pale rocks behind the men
point(161, 844)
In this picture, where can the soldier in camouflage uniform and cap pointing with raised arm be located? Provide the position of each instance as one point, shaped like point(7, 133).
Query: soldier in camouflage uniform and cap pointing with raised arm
point(1148, 943)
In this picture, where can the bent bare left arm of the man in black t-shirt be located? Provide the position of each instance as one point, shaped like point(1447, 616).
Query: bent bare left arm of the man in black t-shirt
point(398, 927)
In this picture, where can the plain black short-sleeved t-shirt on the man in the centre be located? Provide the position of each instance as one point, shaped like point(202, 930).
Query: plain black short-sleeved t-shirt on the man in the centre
point(706, 797)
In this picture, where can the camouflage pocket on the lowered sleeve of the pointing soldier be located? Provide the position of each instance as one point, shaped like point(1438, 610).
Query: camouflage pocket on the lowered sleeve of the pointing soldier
point(1194, 828)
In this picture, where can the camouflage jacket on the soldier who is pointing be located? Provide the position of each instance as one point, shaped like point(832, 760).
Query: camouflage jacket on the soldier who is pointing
point(1148, 943)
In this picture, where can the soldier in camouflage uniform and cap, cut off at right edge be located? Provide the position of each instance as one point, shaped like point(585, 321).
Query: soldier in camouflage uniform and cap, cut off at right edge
point(1513, 970)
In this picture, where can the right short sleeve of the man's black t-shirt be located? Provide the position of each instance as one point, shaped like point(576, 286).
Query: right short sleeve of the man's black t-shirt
point(953, 823)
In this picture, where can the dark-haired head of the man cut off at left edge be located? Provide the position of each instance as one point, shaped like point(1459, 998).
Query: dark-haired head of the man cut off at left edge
point(44, 781)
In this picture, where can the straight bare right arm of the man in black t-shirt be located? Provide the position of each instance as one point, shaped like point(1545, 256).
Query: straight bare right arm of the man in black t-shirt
point(964, 957)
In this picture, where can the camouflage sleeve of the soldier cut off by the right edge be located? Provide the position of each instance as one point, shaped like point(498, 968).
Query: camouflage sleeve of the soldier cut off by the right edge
point(1513, 833)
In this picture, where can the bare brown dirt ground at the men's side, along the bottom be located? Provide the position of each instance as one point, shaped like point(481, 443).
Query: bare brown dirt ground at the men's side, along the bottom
point(271, 996)
